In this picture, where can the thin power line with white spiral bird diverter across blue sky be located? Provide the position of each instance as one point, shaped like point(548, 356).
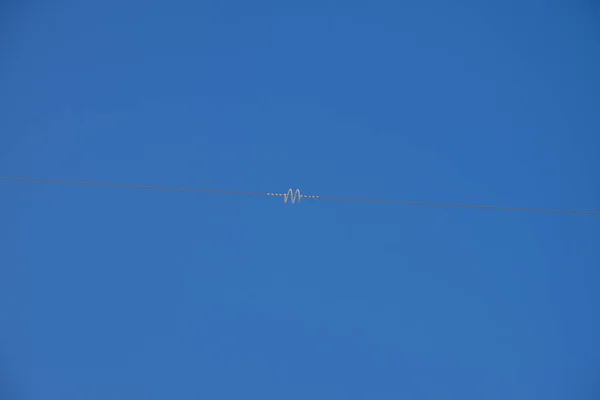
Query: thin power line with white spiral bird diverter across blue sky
point(295, 196)
